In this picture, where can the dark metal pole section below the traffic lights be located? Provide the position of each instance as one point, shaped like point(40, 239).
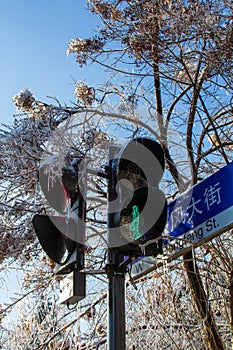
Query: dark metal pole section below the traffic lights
point(116, 302)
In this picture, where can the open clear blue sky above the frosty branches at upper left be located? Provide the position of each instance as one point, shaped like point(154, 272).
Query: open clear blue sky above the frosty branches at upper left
point(34, 36)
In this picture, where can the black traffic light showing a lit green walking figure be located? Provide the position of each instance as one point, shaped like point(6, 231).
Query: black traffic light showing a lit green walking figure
point(137, 208)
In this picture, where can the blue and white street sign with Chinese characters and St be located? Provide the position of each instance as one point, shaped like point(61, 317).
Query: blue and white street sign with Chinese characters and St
point(196, 216)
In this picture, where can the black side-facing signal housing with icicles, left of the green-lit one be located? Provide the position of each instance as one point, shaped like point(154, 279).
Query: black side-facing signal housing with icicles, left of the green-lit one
point(62, 236)
